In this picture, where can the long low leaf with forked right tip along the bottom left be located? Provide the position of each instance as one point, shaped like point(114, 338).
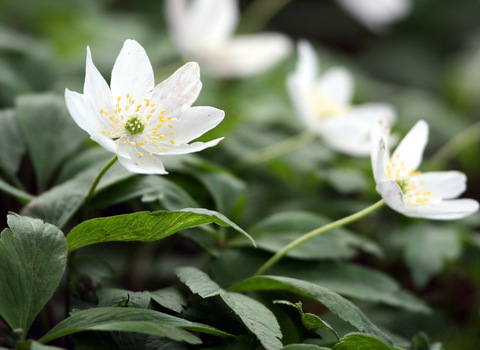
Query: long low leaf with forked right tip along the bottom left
point(131, 320)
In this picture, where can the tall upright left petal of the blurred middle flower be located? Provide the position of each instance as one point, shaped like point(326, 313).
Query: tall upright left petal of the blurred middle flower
point(301, 82)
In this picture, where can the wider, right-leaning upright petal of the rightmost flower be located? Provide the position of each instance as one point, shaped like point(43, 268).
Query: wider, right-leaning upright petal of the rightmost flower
point(412, 146)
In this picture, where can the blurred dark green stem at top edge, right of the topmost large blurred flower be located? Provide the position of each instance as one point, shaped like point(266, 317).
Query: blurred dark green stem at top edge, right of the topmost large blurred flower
point(257, 15)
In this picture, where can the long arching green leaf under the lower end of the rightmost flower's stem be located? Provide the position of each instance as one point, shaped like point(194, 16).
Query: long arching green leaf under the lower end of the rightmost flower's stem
point(338, 305)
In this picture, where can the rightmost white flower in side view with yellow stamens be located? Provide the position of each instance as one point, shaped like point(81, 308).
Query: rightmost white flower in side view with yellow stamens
point(410, 192)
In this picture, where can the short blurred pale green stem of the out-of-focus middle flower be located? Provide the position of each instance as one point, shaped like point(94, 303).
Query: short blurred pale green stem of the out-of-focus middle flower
point(274, 151)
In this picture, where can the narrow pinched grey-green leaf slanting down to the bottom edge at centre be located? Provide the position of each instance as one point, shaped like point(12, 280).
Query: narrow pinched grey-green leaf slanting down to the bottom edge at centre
point(256, 317)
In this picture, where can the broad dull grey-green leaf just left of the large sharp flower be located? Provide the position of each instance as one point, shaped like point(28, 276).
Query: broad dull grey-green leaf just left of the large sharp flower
point(50, 132)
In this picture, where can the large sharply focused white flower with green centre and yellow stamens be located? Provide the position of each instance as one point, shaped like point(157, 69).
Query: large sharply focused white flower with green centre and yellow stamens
point(137, 120)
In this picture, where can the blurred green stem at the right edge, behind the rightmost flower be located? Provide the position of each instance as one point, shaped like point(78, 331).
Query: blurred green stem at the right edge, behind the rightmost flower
point(453, 147)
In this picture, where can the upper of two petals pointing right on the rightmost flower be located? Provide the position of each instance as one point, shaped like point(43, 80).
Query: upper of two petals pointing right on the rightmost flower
point(444, 184)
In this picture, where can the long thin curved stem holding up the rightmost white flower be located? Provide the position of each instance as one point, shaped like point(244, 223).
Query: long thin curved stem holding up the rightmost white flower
point(346, 220)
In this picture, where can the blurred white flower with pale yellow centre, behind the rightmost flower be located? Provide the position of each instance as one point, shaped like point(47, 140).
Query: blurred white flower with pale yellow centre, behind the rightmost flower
point(324, 104)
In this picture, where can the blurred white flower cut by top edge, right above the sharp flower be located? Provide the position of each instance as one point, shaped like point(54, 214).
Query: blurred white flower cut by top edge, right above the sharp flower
point(203, 31)
